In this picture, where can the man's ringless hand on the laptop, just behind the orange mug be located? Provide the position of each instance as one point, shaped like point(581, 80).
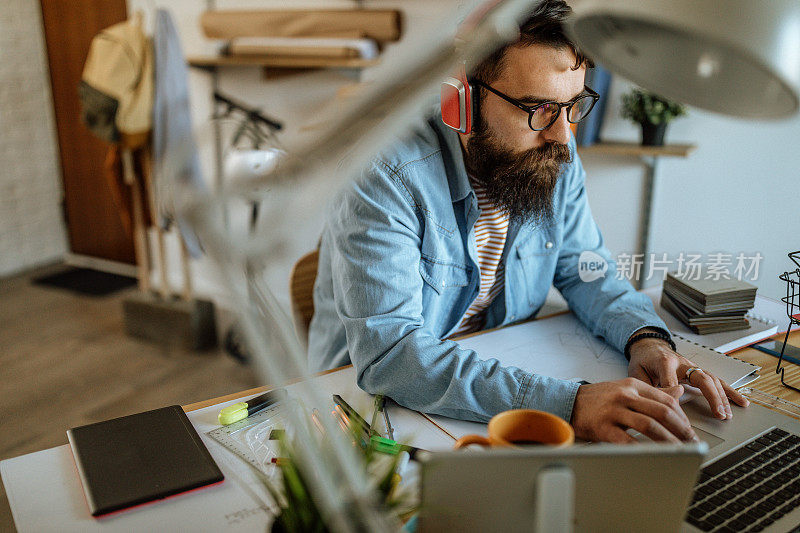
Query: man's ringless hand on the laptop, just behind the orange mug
point(603, 411)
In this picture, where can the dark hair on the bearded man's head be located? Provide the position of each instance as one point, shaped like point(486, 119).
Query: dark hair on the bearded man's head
point(544, 26)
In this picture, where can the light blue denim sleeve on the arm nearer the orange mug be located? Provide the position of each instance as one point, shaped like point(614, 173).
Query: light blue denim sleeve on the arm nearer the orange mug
point(375, 233)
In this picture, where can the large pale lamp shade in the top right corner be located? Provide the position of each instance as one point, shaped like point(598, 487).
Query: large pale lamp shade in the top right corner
point(737, 57)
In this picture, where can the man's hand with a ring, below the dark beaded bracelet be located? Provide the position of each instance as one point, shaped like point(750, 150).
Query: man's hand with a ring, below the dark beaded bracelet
point(654, 362)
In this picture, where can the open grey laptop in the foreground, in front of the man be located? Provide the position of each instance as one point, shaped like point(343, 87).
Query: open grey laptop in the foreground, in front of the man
point(748, 480)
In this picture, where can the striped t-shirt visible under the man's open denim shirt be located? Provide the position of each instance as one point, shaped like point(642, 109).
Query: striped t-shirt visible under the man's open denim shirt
point(491, 230)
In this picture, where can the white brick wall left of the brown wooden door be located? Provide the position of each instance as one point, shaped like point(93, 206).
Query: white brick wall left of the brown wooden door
point(32, 231)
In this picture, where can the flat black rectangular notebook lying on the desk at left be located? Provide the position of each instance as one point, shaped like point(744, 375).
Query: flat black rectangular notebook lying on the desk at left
point(139, 458)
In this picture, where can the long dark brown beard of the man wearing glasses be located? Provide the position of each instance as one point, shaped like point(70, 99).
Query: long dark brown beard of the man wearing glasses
point(520, 183)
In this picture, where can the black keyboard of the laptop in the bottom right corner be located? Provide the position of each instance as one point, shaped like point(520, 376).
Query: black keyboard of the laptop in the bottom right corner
point(750, 488)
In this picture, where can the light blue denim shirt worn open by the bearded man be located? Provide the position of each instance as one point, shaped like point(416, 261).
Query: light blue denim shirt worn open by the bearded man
point(397, 272)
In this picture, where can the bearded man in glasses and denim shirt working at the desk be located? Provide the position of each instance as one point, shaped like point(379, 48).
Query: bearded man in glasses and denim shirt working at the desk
point(449, 233)
